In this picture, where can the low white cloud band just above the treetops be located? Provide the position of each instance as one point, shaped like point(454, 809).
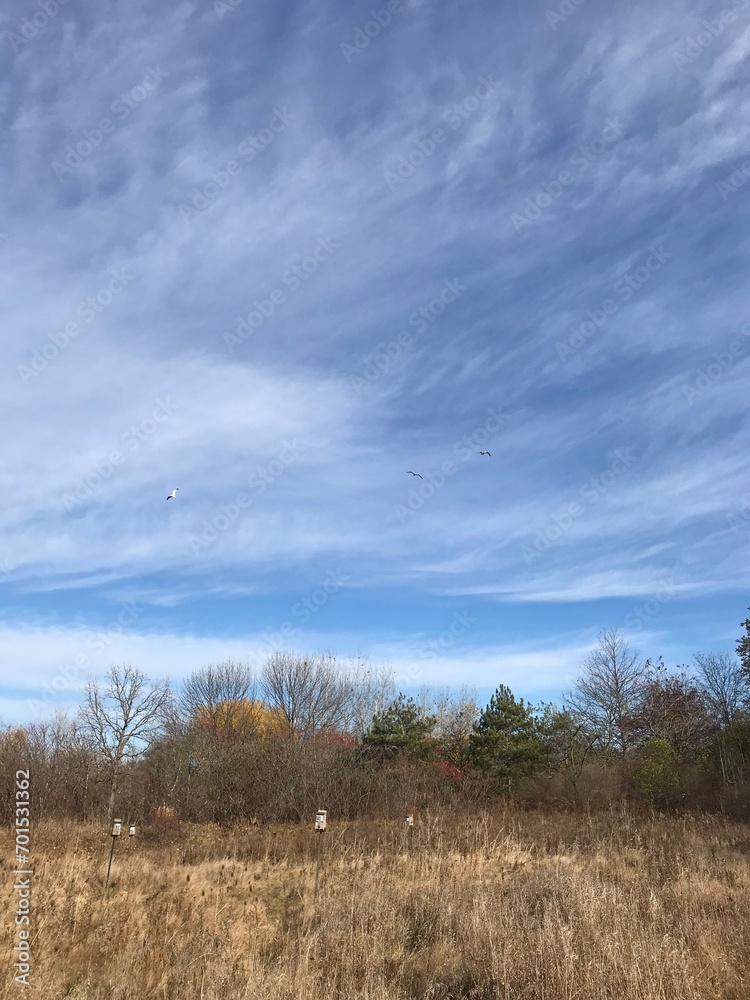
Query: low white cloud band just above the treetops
point(54, 663)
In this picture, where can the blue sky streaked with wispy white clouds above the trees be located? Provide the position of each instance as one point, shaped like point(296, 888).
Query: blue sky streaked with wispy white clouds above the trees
point(280, 255)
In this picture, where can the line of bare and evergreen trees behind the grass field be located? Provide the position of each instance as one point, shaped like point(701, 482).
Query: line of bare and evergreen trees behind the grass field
point(311, 732)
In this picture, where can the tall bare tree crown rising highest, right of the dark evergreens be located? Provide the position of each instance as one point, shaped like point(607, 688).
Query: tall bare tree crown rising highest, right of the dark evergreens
point(607, 695)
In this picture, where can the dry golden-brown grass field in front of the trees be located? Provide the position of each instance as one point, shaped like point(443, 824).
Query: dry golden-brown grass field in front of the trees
point(504, 905)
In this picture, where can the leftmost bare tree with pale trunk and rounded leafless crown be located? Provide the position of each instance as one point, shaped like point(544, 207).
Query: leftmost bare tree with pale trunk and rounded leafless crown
point(122, 718)
